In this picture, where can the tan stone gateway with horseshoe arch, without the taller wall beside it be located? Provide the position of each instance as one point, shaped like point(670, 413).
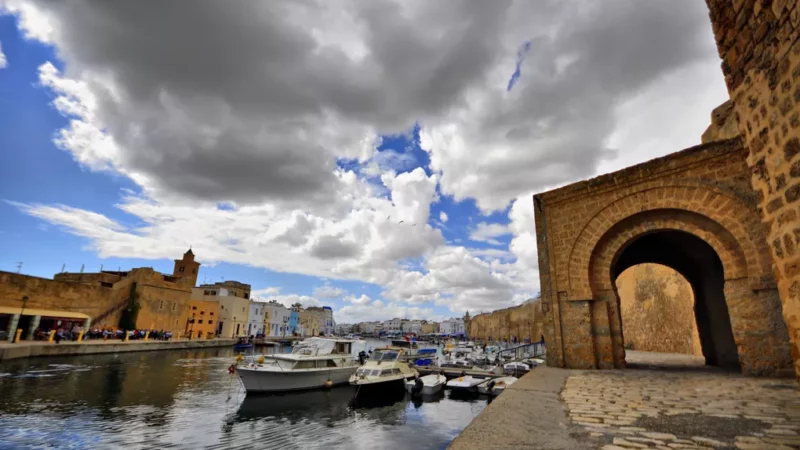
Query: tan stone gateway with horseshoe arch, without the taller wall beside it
point(693, 211)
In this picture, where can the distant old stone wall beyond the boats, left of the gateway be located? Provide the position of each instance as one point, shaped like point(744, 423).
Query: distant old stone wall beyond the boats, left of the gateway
point(525, 321)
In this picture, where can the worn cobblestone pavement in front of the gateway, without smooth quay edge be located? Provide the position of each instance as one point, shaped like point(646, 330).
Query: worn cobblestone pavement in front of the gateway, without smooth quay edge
point(625, 409)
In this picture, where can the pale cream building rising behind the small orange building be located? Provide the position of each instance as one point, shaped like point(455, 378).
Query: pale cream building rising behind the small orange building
point(234, 306)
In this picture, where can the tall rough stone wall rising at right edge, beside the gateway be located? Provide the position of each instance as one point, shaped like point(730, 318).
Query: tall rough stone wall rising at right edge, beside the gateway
point(758, 43)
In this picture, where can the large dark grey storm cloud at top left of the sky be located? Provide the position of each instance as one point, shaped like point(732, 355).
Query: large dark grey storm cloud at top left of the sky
point(236, 100)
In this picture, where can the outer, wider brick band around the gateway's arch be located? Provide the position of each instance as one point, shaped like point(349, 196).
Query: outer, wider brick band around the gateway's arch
point(724, 208)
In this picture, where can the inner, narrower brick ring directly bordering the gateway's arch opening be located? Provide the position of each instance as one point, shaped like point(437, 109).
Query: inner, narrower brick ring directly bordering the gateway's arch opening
point(612, 244)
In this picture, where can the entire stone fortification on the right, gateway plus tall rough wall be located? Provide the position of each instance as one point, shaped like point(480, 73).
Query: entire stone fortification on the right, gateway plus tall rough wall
point(723, 214)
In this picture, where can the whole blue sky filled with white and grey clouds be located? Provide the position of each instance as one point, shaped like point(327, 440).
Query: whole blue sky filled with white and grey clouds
point(378, 157)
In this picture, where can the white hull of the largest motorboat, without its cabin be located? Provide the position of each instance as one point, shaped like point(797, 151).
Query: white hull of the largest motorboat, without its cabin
point(262, 381)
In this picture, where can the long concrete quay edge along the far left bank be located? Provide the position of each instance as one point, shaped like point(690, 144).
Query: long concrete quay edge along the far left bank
point(93, 347)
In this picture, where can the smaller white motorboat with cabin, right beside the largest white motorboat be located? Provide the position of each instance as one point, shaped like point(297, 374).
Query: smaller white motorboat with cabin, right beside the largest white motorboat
point(386, 369)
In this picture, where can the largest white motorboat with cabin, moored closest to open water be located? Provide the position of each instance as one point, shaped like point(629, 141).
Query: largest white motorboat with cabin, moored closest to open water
point(313, 363)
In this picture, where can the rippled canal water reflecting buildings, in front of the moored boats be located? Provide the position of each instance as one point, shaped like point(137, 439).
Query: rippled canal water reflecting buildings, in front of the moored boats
point(187, 399)
